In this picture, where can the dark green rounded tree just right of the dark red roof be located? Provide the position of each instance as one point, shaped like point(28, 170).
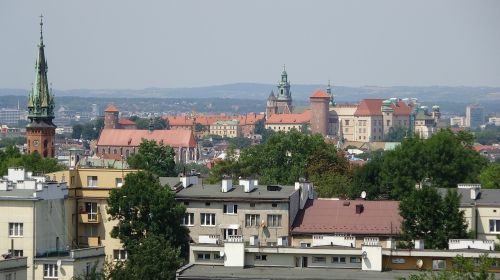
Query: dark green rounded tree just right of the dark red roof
point(428, 216)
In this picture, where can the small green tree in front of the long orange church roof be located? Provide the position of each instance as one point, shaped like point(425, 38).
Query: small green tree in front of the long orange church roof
point(153, 157)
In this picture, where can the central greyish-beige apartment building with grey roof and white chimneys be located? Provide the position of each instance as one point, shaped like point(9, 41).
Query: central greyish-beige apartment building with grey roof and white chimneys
point(259, 215)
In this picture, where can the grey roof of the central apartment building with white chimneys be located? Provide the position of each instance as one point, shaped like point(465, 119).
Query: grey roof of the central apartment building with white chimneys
point(213, 192)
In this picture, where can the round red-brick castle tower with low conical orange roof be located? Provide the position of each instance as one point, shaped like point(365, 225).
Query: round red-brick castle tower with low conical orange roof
point(320, 102)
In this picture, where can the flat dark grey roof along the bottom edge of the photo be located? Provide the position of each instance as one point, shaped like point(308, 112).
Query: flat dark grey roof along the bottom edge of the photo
point(220, 272)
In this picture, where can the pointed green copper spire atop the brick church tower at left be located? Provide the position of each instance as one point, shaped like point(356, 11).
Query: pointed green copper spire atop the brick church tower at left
point(41, 100)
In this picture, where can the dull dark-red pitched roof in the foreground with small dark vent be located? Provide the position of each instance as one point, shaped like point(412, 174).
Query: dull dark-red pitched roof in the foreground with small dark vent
point(333, 216)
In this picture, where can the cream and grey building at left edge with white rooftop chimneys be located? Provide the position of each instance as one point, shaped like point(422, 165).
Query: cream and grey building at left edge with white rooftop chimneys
point(39, 225)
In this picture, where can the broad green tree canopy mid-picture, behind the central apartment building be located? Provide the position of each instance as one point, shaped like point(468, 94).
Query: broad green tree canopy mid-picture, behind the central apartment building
point(286, 157)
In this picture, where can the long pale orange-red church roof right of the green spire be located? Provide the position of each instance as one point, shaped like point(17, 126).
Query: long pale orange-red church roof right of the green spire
point(133, 137)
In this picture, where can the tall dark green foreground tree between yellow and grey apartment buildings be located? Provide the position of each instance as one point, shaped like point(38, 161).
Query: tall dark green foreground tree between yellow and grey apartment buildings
point(149, 226)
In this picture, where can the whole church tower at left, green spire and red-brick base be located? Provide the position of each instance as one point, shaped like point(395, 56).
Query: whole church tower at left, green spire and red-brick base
point(40, 131)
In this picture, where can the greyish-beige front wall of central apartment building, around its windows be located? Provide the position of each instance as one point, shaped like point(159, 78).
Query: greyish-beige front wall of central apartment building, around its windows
point(265, 234)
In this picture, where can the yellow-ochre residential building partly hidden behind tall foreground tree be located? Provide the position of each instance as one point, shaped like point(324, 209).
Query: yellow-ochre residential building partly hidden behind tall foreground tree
point(89, 189)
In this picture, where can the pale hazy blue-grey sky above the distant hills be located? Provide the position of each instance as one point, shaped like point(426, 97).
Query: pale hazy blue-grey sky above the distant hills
point(122, 44)
